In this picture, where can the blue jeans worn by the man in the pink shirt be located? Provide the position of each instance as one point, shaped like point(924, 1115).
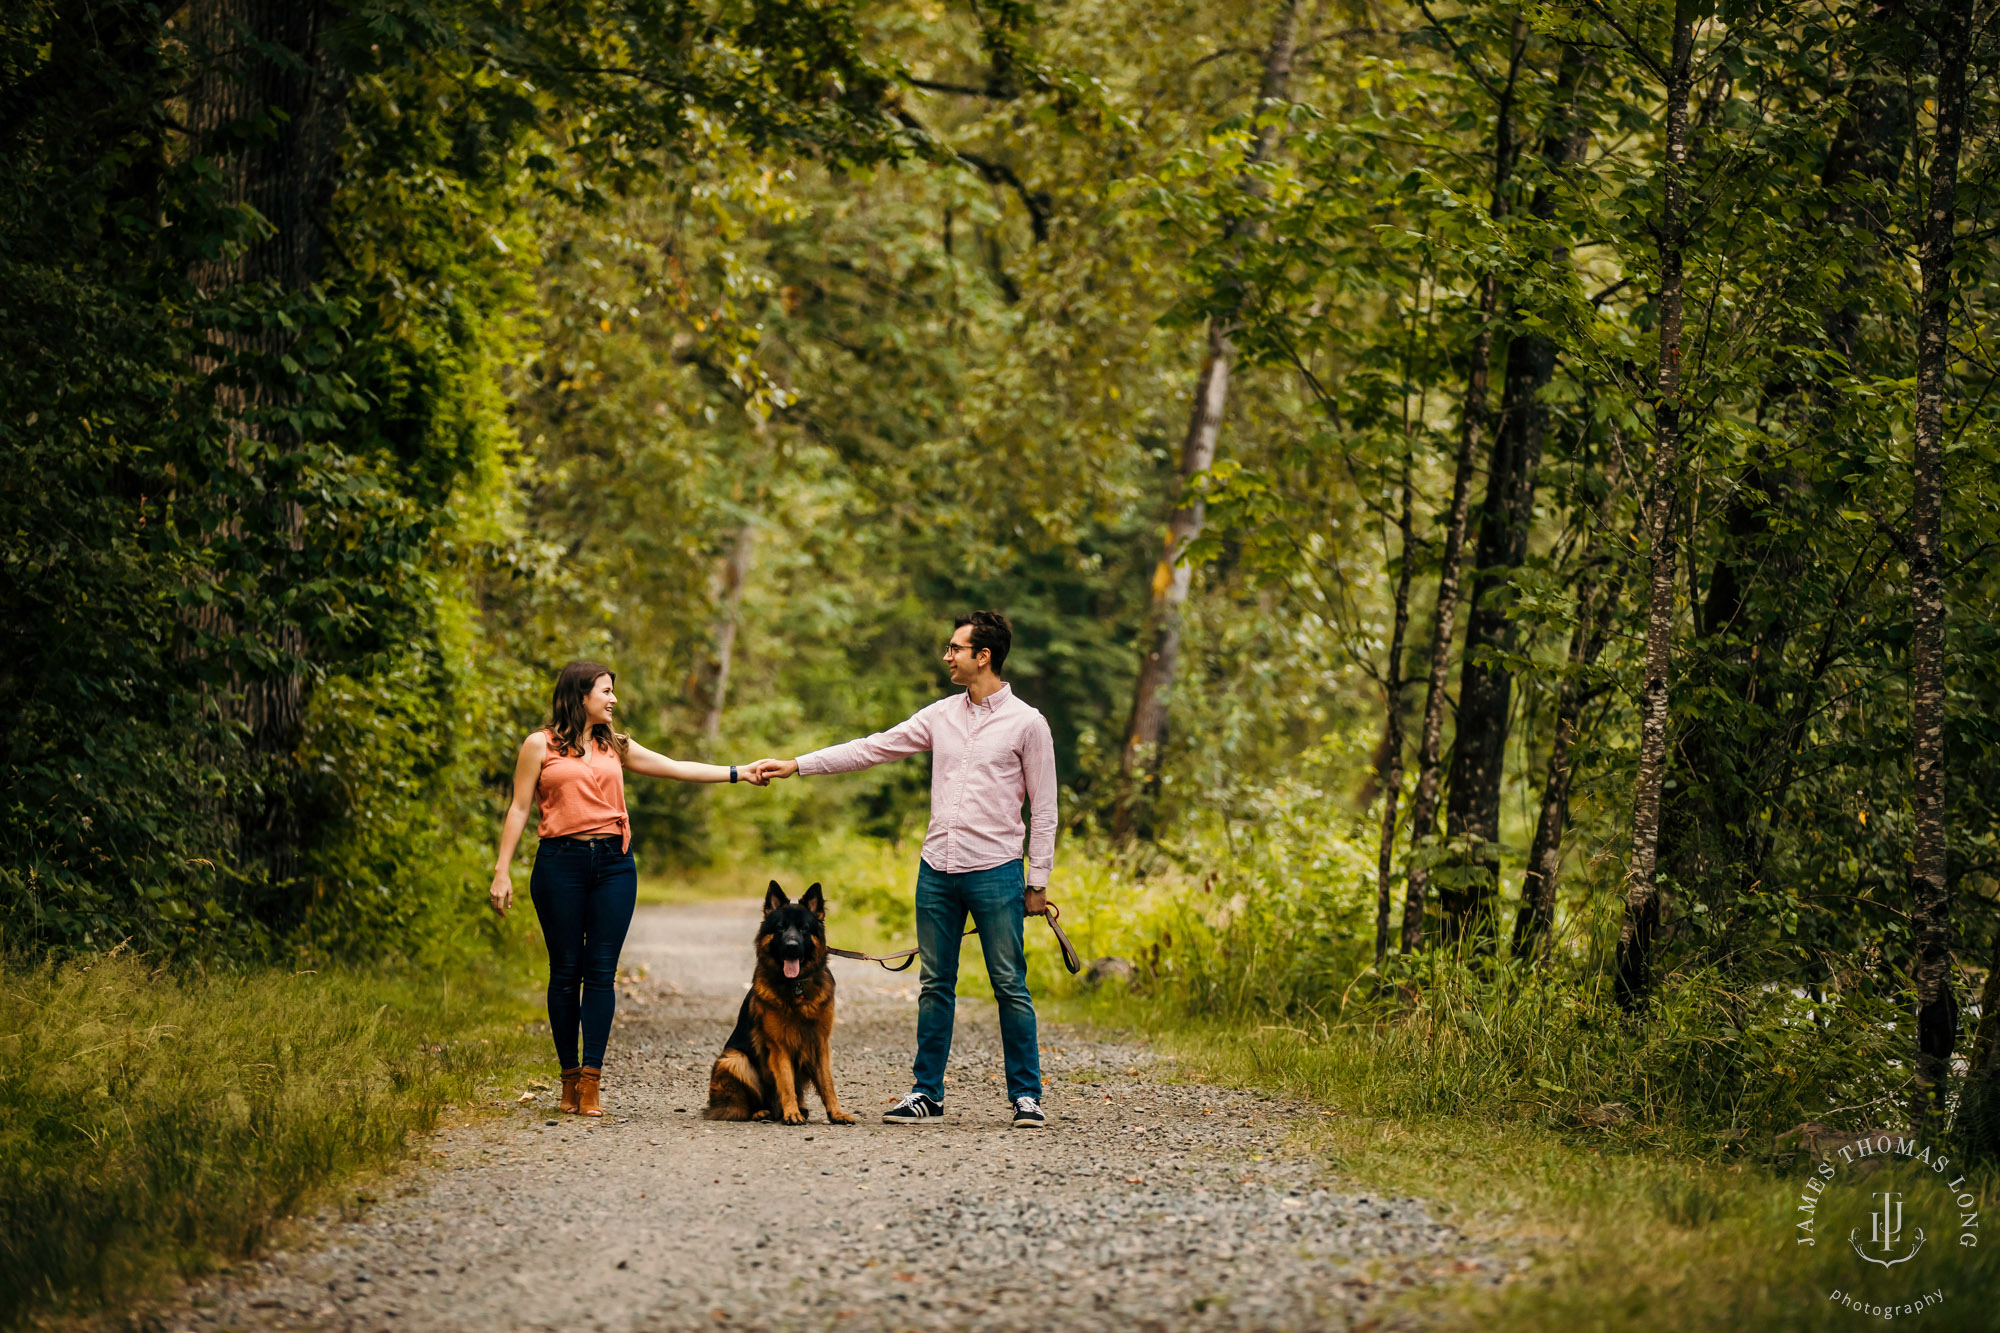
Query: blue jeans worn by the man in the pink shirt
point(995, 904)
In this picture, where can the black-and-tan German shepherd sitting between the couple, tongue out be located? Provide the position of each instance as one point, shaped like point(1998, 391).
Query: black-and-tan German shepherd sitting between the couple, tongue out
point(785, 1030)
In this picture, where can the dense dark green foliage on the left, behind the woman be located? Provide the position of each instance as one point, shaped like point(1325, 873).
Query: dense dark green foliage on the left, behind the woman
point(229, 493)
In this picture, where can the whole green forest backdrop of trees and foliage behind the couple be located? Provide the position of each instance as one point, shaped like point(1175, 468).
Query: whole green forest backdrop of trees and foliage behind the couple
point(1497, 501)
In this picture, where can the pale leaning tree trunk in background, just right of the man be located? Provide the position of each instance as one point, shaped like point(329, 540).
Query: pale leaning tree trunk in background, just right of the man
point(1197, 453)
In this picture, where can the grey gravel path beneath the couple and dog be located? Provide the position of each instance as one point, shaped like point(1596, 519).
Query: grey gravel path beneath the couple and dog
point(1149, 1204)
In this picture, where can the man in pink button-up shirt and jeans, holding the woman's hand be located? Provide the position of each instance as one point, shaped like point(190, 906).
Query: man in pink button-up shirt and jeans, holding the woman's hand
point(989, 754)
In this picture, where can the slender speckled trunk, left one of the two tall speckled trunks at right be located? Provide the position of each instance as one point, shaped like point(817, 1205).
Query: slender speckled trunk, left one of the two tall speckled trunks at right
point(1643, 892)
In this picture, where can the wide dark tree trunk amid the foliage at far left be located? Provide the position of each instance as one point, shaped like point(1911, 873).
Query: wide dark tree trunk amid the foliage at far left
point(267, 107)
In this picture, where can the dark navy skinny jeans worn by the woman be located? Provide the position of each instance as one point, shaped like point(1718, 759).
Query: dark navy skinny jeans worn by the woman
point(583, 892)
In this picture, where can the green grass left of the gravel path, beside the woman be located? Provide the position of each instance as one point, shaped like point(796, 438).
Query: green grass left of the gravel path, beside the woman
point(157, 1126)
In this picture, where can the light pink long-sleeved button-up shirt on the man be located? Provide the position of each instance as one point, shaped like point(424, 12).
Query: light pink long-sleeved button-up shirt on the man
point(987, 760)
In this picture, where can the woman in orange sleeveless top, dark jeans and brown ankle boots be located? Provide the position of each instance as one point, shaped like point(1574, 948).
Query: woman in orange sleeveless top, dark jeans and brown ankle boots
point(585, 884)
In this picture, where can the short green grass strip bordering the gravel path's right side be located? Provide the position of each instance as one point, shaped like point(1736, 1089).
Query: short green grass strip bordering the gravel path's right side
point(1623, 1236)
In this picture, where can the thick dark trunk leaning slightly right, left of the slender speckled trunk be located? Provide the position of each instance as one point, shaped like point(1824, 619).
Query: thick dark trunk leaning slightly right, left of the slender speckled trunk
point(1507, 517)
